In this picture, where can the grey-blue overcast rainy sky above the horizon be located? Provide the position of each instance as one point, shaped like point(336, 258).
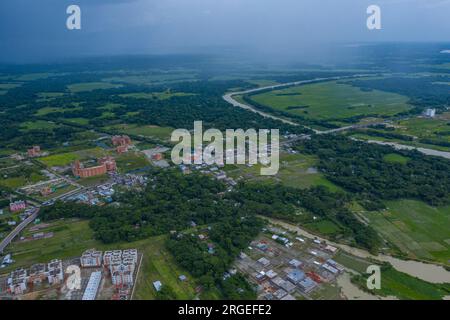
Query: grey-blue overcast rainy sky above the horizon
point(34, 30)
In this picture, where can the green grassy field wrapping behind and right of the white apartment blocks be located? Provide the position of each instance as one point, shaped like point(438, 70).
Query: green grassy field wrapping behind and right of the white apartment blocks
point(72, 237)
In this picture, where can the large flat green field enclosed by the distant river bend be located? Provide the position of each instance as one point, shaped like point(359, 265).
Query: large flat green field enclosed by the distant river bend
point(332, 100)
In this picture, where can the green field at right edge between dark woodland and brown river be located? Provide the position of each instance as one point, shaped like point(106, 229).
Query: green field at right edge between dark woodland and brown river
point(417, 229)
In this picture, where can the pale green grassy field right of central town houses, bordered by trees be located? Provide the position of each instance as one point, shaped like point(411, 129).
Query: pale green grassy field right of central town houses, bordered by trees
point(296, 170)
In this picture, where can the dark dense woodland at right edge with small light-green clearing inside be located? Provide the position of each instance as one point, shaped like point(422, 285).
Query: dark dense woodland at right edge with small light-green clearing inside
point(361, 168)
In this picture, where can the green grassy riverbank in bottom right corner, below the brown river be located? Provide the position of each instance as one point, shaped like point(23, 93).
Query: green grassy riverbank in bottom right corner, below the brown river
point(395, 283)
